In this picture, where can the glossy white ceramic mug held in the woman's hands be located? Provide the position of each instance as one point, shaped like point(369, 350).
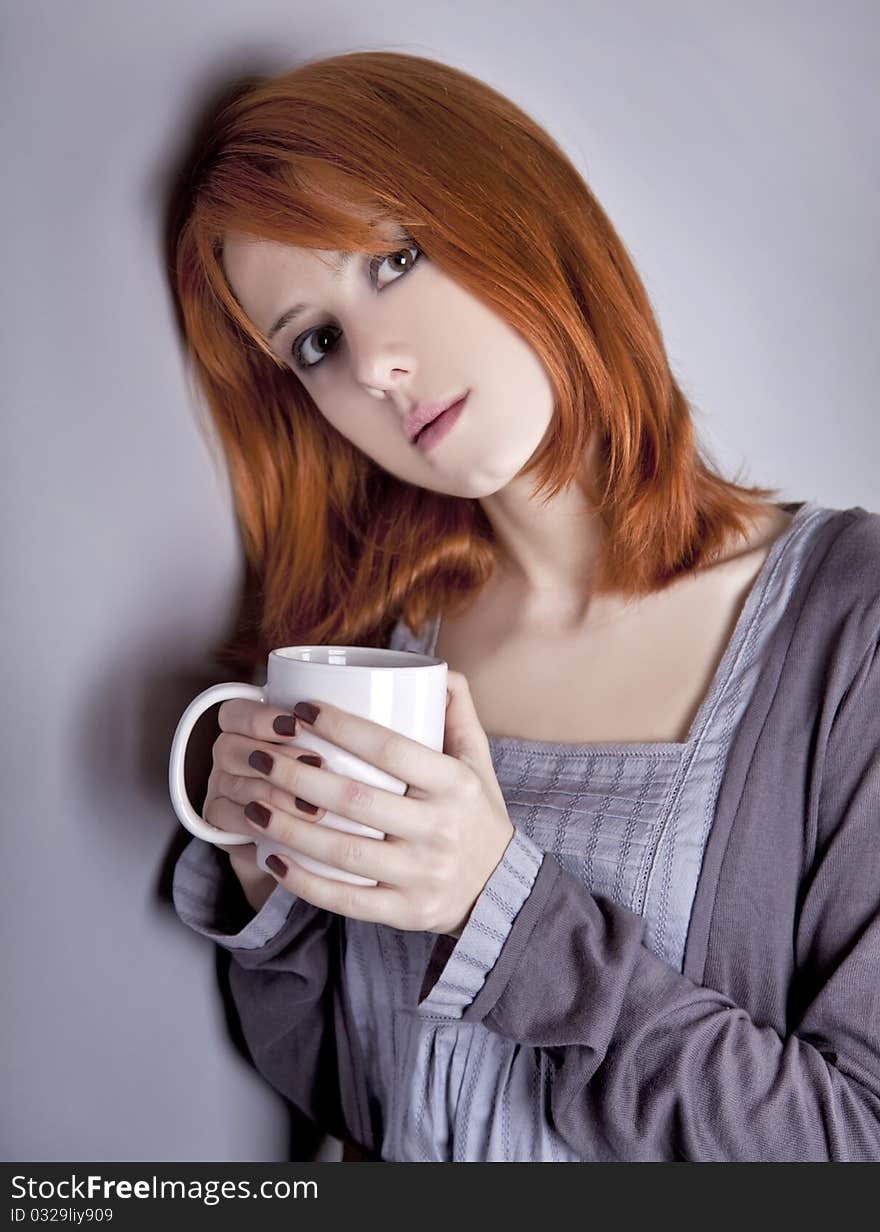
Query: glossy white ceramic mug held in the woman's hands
point(397, 689)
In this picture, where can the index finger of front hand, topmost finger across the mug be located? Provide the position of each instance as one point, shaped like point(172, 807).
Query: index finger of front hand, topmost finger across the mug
point(409, 761)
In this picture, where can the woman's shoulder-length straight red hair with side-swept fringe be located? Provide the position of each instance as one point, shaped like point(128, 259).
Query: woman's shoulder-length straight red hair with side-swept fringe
point(337, 155)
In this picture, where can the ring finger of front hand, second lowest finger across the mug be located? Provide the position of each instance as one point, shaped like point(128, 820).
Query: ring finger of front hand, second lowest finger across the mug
point(384, 861)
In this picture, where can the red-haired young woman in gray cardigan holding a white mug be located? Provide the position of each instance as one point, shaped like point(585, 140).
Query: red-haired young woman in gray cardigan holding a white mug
point(633, 910)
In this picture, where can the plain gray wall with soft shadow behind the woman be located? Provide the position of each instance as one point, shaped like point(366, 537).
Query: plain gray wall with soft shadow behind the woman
point(735, 148)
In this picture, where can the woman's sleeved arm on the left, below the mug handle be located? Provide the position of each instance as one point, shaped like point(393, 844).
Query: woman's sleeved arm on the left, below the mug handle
point(285, 981)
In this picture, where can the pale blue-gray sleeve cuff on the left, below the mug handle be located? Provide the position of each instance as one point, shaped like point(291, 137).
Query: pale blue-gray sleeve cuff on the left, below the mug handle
point(206, 900)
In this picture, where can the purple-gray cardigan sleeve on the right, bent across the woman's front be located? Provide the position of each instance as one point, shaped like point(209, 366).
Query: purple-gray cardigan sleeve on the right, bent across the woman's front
point(664, 1069)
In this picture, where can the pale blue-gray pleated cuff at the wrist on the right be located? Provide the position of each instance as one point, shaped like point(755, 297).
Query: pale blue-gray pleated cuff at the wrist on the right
point(458, 970)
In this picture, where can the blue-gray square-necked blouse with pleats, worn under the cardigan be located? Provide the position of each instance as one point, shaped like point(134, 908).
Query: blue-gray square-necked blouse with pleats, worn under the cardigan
point(629, 822)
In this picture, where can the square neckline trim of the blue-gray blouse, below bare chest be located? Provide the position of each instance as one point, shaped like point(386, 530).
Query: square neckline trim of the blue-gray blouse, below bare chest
point(659, 750)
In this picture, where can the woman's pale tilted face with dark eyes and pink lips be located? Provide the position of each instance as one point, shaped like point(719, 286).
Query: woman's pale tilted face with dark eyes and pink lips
point(386, 333)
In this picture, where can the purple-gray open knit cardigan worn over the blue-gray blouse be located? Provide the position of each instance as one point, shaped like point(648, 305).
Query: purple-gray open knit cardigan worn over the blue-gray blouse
point(767, 1045)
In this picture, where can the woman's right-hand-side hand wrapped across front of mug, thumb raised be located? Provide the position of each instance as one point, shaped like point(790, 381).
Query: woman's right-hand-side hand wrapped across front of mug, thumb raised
point(443, 840)
